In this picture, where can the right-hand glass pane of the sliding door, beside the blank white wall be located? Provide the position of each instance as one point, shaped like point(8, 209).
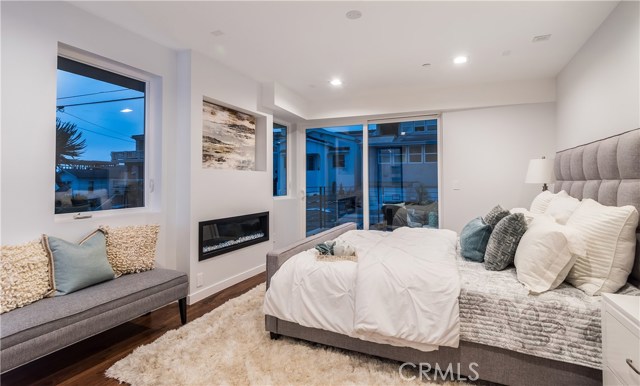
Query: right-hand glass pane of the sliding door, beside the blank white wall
point(403, 174)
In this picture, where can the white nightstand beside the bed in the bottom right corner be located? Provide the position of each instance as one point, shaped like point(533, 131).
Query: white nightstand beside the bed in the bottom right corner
point(621, 339)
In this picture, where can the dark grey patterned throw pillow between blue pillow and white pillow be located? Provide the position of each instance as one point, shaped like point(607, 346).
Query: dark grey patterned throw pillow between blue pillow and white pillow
point(503, 242)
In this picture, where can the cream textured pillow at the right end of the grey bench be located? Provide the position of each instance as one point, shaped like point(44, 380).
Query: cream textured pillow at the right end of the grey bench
point(131, 249)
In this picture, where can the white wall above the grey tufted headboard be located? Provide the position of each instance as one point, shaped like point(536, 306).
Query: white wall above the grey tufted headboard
point(598, 92)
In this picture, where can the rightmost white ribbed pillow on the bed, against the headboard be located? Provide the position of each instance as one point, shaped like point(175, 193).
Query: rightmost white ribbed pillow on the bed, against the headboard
point(610, 234)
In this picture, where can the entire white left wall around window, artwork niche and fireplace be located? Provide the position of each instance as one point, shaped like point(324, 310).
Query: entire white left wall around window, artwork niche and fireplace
point(185, 192)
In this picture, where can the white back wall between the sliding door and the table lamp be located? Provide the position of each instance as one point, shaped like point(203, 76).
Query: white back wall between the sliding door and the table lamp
point(485, 158)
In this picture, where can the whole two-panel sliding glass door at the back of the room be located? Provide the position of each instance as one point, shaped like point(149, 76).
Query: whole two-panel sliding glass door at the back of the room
point(395, 176)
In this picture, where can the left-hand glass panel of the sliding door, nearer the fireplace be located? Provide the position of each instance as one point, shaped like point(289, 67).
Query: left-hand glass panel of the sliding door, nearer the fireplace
point(334, 177)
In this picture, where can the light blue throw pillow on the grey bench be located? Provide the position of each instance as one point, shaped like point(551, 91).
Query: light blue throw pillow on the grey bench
point(76, 266)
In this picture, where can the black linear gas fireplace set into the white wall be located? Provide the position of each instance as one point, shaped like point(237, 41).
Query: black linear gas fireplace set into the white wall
point(228, 234)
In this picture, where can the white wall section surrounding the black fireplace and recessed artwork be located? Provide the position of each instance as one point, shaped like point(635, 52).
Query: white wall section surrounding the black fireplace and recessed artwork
point(215, 193)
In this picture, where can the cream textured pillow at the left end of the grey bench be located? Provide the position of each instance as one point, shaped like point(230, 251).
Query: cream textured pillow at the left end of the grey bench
point(25, 276)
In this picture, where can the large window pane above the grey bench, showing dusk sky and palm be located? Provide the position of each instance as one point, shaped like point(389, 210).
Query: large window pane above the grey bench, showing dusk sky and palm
point(100, 139)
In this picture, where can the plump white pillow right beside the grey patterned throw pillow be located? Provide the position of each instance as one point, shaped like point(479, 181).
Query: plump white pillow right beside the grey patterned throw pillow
point(546, 253)
